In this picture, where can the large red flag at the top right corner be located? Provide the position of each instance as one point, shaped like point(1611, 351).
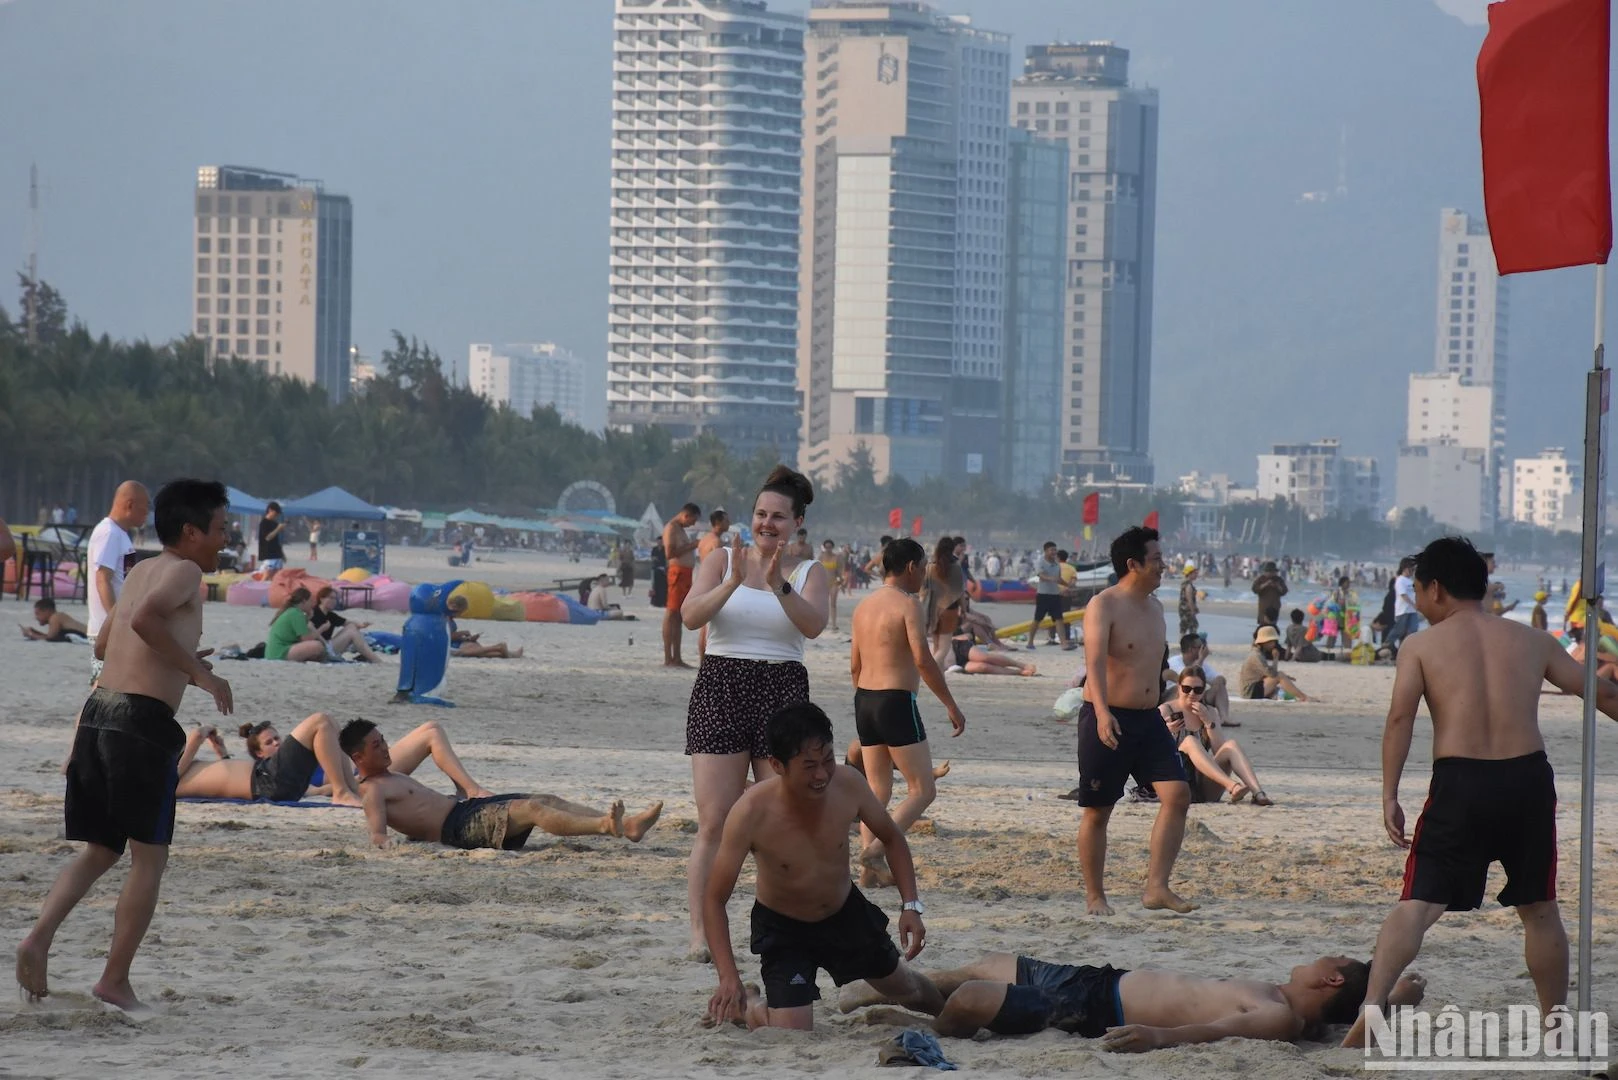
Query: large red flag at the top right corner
point(1543, 79)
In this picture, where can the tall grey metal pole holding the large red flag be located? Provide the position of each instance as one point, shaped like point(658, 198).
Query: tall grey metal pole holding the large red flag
point(1591, 582)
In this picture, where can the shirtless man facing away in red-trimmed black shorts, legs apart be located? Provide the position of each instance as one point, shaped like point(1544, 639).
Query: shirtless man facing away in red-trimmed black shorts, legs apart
point(1493, 796)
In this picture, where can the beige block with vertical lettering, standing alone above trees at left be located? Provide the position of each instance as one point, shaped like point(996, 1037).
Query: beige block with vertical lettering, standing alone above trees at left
point(274, 274)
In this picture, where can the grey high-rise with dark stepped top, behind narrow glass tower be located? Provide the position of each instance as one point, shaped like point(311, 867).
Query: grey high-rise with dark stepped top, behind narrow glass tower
point(1080, 95)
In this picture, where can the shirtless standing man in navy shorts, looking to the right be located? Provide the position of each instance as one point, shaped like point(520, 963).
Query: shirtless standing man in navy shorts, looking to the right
point(1120, 729)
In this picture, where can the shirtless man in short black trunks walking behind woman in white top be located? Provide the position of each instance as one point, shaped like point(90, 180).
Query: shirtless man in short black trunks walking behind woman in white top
point(889, 660)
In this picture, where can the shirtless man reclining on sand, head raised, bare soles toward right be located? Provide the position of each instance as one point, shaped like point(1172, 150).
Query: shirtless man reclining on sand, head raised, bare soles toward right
point(496, 822)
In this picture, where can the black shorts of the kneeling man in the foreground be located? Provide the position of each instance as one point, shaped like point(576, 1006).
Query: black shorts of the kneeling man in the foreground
point(850, 945)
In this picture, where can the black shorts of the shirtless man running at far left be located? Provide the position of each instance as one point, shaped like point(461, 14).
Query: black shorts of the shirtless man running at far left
point(124, 772)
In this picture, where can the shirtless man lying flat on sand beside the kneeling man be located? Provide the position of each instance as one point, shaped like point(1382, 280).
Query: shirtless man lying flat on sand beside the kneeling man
point(1137, 1011)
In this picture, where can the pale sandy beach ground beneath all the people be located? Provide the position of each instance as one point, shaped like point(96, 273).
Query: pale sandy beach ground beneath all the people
point(286, 945)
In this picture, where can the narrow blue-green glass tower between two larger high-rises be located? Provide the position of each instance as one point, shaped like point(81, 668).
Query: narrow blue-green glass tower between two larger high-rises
point(1031, 389)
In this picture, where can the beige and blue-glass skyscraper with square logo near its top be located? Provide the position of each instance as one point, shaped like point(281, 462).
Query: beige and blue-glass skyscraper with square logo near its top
point(902, 286)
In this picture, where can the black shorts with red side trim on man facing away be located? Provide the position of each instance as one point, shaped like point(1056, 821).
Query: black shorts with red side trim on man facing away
point(1483, 812)
